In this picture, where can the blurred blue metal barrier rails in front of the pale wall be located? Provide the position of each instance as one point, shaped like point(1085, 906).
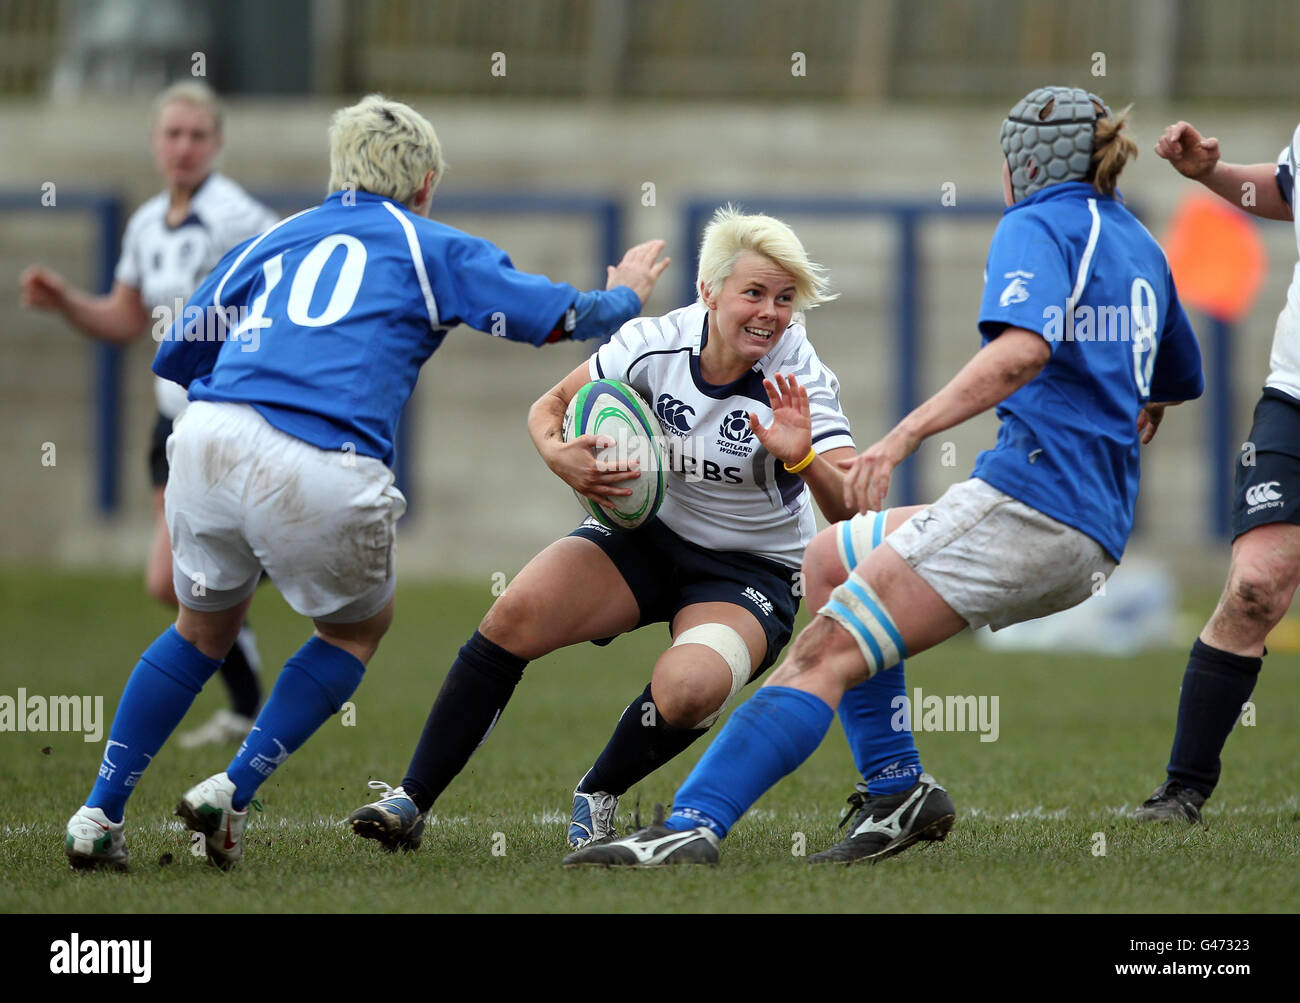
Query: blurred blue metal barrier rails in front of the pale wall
point(606, 215)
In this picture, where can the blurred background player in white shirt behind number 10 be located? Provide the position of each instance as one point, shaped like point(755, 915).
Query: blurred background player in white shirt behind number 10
point(172, 242)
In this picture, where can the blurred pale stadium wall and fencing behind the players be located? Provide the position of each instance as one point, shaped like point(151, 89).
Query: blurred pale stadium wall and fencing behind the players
point(616, 102)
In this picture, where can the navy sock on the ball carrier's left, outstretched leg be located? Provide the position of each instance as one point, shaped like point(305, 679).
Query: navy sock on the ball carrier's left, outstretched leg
point(473, 697)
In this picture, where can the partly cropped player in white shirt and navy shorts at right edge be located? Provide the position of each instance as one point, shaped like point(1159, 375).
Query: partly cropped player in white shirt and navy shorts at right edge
point(1227, 658)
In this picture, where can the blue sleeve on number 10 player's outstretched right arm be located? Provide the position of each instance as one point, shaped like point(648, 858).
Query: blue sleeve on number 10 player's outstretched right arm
point(476, 284)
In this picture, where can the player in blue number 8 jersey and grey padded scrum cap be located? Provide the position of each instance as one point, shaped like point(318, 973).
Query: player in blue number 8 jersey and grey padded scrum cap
point(1048, 510)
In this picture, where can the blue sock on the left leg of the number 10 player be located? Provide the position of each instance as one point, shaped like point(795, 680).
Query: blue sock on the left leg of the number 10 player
point(168, 678)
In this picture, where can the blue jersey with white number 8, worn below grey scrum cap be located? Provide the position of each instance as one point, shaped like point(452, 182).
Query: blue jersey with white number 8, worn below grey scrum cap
point(1080, 270)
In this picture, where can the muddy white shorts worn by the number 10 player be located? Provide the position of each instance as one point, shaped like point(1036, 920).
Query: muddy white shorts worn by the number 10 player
point(244, 498)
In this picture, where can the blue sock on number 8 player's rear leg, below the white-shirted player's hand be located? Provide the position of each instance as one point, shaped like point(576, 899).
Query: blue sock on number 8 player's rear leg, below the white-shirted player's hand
point(878, 726)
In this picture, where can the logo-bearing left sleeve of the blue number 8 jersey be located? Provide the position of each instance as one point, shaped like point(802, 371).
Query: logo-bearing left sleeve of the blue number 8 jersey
point(1028, 281)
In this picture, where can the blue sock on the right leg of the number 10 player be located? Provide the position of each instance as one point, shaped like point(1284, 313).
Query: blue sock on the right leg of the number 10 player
point(313, 687)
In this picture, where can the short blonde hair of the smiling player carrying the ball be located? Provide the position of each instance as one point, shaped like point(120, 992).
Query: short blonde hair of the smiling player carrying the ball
point(731, 233)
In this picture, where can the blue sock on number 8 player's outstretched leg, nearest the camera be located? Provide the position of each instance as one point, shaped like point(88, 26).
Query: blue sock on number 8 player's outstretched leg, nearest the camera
point(765, 740)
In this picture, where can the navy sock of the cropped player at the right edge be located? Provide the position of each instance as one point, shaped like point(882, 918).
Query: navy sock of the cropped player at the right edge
point(1216, 685)
